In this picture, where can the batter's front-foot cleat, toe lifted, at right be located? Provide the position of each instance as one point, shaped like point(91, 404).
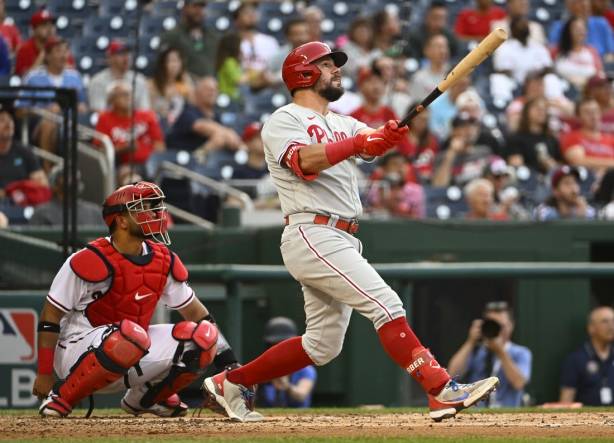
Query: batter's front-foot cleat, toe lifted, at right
point(455, 397)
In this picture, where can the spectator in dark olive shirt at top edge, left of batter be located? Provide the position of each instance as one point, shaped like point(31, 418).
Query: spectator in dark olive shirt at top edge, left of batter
point(197, 44)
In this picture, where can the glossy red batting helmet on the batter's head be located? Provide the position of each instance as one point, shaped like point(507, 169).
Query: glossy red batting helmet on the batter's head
point(299, 70)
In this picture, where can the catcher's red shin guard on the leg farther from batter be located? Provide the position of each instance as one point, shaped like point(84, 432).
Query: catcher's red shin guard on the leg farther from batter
point(121, 348)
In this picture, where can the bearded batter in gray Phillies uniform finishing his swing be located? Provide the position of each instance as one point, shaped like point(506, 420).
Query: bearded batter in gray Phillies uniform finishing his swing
point(311, 152)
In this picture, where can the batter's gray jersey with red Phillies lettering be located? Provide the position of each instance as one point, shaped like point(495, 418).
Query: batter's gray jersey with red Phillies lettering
point(335, 191)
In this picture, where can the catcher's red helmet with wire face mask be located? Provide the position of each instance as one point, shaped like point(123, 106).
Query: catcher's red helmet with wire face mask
point(144, 202)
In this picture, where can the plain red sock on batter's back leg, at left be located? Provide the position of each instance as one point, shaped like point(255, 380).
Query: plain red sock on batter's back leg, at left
point(282, 359)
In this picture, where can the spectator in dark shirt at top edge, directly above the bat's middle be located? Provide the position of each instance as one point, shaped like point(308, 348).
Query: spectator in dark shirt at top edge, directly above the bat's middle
point(435, 22)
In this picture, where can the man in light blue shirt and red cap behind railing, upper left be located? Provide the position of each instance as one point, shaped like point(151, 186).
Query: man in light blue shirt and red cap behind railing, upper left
point(54, 73)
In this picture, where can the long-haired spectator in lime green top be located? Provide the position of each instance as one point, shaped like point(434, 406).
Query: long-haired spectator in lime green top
point(230, 75)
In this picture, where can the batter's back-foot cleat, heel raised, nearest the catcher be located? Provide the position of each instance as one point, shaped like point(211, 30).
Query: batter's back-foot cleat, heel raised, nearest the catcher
point(235, 399)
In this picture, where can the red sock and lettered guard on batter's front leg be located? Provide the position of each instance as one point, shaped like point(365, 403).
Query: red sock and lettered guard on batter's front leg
point(402, 345)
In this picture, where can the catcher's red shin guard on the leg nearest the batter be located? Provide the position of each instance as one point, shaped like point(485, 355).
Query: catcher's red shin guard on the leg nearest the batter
point(187, 366)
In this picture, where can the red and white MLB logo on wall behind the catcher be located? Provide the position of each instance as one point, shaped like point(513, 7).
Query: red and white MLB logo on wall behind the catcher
point(18, 335)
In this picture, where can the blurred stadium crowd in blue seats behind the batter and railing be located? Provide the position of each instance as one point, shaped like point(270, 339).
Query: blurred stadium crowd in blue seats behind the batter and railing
point(530, 136)
